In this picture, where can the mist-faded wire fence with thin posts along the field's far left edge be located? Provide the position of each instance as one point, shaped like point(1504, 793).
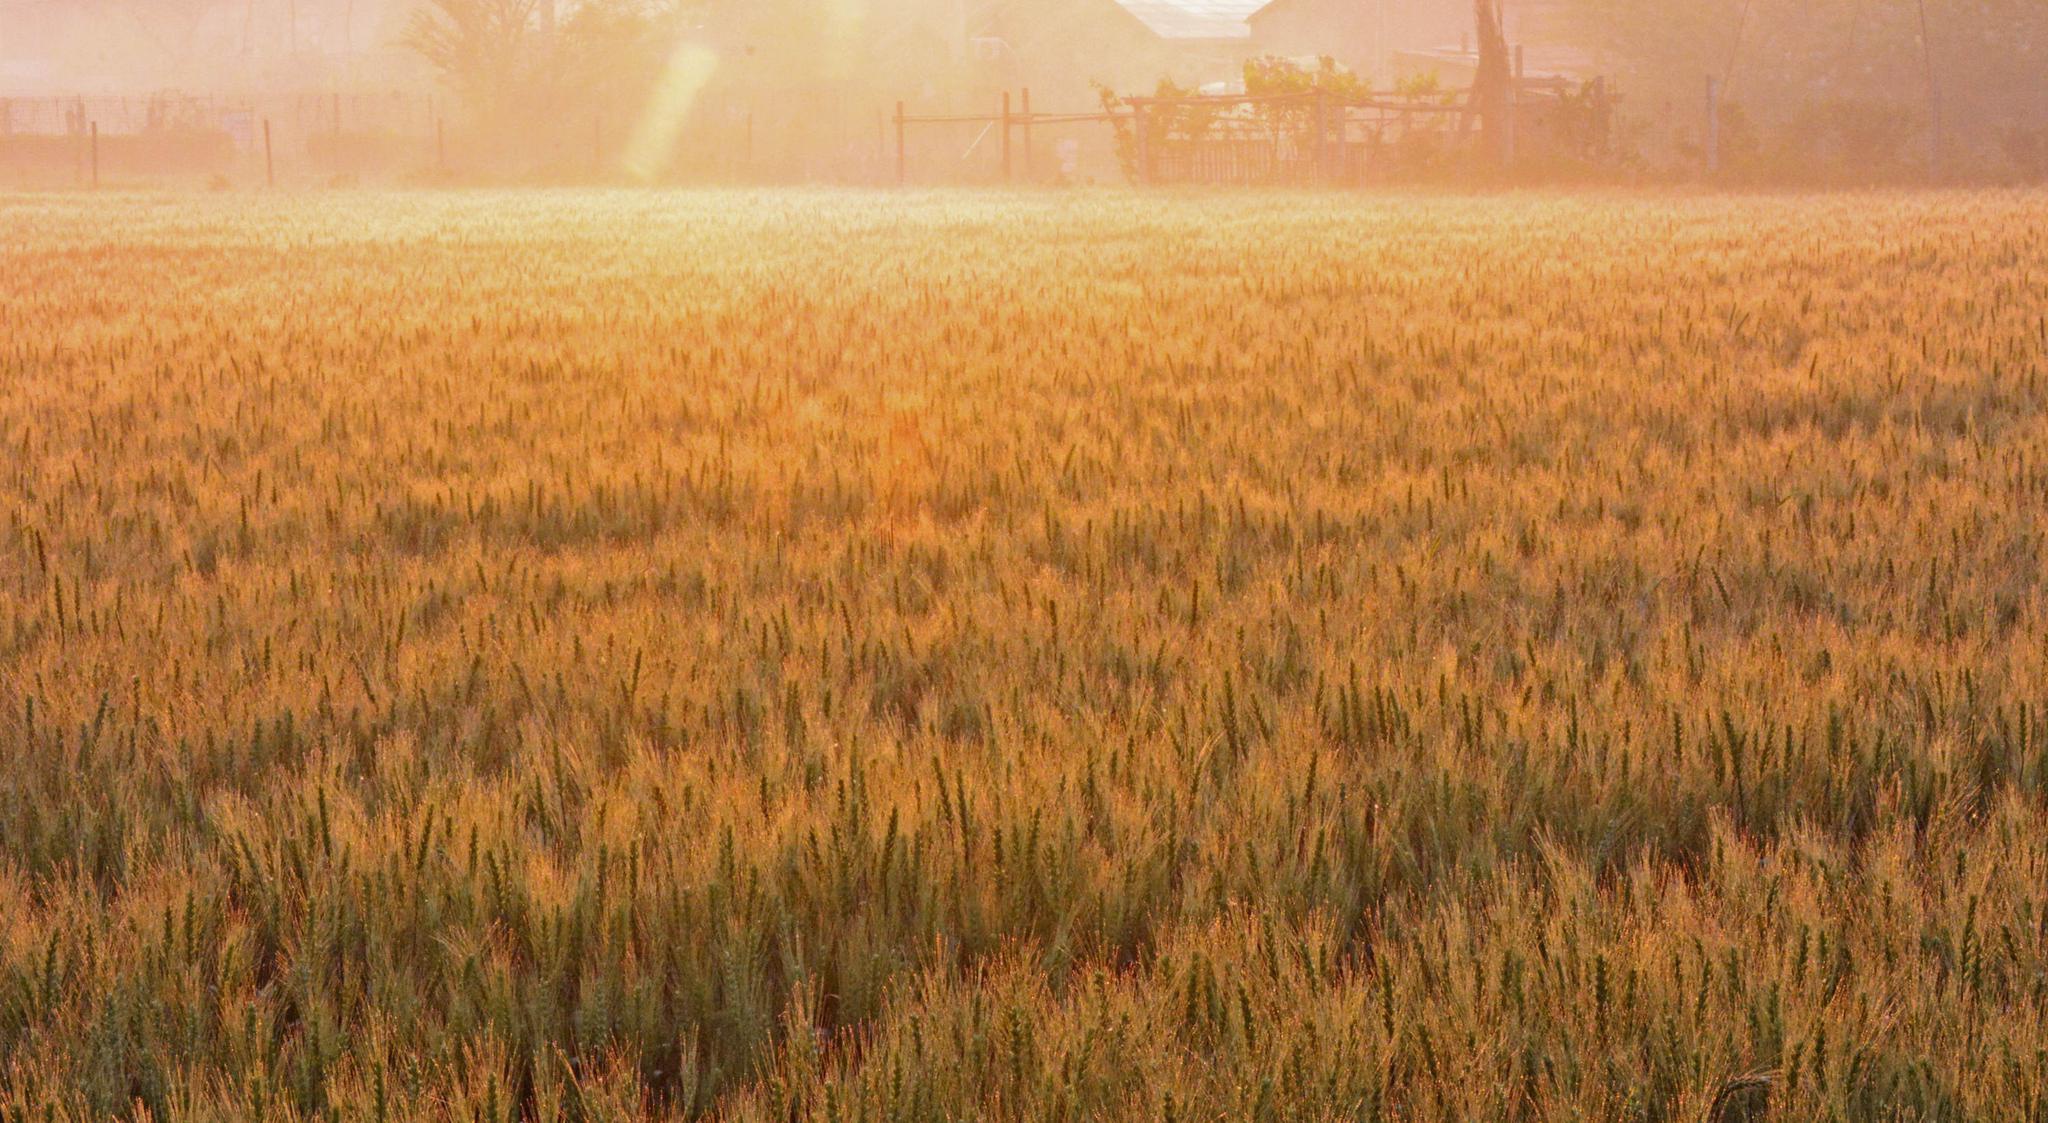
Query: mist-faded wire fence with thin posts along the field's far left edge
point(411, 136)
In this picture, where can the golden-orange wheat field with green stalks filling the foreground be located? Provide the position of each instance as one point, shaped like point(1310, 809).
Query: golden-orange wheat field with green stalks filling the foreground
point(1023, 657)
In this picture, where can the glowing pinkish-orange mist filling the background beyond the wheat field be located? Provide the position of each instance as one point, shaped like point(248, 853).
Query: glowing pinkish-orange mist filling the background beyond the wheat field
point(806, 91)
